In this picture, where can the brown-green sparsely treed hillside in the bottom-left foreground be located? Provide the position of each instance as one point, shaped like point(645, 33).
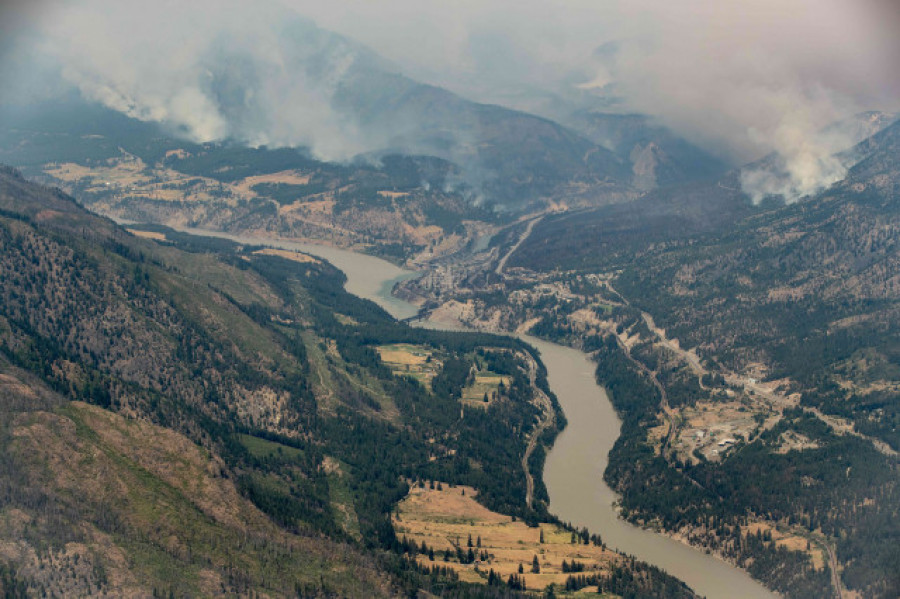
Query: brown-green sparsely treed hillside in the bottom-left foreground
point(95, 502)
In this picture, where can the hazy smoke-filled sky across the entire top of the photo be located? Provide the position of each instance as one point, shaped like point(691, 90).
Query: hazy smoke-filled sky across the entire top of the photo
point(741, 78)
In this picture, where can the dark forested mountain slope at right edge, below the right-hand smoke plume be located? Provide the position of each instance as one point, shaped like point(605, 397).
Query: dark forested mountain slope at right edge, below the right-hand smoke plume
point(812, 291)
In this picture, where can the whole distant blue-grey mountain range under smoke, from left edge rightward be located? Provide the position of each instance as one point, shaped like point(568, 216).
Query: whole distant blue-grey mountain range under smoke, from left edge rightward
point(339, 99)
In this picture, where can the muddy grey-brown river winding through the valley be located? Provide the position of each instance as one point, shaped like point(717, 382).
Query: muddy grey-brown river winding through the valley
point(574, 468)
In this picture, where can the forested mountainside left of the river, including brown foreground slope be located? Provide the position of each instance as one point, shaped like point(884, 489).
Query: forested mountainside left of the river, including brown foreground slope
point(201, 422)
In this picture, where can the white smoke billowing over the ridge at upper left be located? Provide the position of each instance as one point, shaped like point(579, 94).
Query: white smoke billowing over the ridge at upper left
point(211, 70)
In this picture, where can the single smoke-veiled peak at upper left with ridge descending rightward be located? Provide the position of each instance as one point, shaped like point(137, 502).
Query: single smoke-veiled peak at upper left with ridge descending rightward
point(296, 85)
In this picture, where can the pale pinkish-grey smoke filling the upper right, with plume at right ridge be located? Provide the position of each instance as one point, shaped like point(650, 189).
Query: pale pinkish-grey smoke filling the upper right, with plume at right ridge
point(743, 78)
